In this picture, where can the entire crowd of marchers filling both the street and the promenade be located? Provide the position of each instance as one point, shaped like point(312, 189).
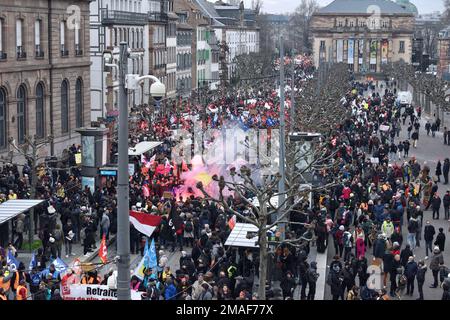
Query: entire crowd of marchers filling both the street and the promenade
point(382, 193)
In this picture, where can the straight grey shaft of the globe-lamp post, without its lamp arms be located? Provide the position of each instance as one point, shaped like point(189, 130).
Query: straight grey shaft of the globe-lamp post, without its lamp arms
point(123, 205)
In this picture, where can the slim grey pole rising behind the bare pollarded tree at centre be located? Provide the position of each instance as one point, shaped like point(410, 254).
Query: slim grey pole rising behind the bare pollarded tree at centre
point(281, 184)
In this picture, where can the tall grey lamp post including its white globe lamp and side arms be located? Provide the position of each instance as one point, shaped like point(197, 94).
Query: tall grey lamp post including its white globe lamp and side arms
point(157, 90)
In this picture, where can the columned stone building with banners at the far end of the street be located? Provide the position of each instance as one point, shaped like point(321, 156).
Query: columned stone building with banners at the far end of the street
point(365, 34)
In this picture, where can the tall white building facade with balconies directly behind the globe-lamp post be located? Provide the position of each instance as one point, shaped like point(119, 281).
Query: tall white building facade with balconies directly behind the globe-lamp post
point(111, 22)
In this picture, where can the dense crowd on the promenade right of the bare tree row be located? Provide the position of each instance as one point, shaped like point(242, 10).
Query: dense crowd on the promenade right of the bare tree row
point(384, 192)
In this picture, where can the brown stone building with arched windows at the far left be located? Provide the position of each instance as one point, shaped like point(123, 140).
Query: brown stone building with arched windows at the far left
point(44, 71)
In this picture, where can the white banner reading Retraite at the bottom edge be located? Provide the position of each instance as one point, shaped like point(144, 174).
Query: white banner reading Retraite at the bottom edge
point(93, 292)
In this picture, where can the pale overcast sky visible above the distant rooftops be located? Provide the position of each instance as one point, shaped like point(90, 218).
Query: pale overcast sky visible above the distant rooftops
point(283, 6)
